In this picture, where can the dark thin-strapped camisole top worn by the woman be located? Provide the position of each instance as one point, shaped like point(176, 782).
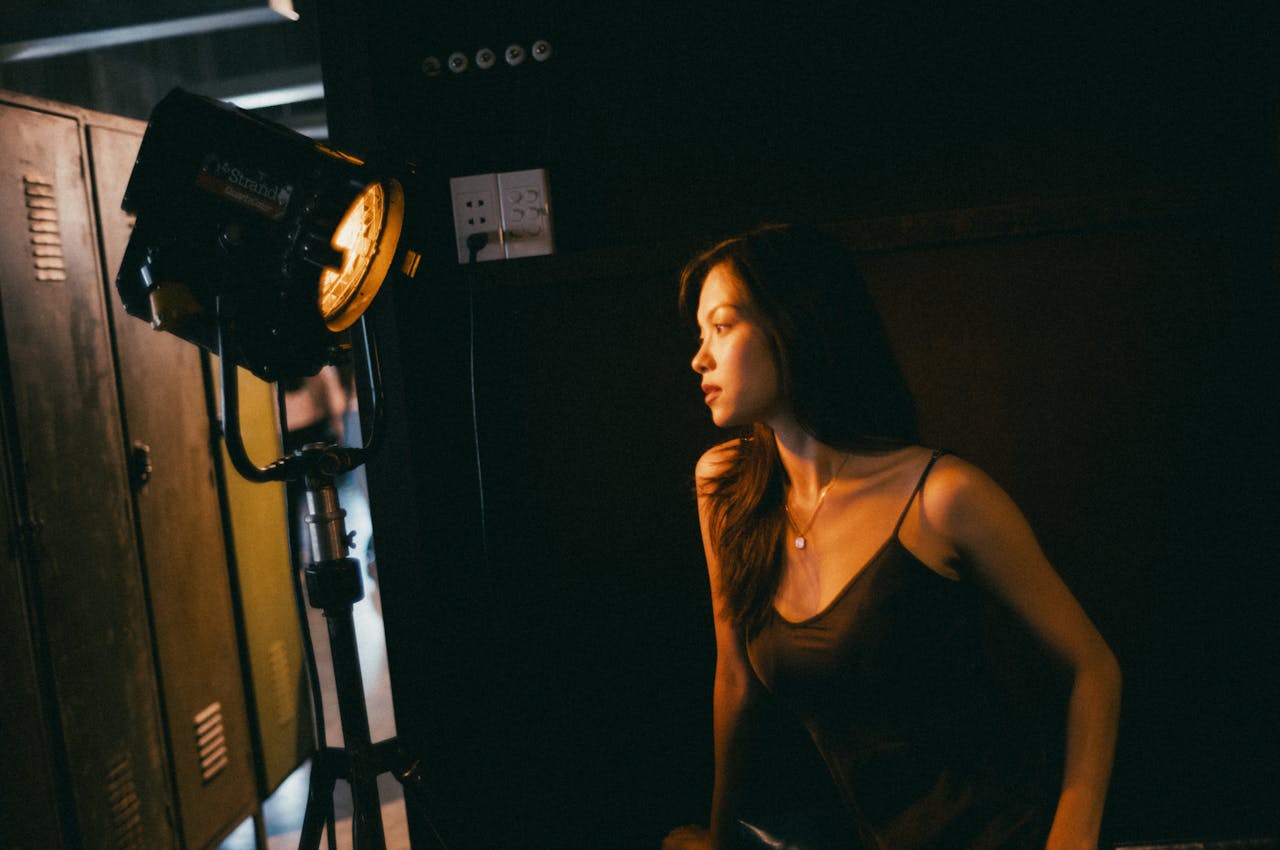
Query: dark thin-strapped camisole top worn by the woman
point(893, 686)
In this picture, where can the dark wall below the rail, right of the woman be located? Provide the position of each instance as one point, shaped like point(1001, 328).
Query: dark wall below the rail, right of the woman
point(1117, 383)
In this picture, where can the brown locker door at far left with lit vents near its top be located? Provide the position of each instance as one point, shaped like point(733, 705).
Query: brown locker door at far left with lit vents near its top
point(70, 472)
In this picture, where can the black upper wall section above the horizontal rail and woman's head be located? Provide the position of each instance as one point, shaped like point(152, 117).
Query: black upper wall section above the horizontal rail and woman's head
point(707, 117)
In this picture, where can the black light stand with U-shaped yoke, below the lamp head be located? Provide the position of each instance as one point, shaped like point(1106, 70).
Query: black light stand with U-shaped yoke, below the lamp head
point(333, 586)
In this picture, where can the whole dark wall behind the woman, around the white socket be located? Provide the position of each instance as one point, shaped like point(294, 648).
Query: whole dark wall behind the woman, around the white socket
point(1108, 362)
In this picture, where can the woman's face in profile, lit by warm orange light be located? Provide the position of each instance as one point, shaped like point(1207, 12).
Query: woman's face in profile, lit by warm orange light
point(740, 377)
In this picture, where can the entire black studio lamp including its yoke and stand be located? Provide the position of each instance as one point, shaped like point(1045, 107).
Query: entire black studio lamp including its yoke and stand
point(258, 244)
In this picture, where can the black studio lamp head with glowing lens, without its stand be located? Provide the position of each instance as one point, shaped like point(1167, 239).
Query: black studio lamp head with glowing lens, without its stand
point(246, 225)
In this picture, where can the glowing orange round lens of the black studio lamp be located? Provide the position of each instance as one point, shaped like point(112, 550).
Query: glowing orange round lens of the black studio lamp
point(367, 237)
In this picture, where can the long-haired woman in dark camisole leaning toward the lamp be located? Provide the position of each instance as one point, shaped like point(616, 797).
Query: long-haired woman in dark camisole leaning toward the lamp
point(849, 568)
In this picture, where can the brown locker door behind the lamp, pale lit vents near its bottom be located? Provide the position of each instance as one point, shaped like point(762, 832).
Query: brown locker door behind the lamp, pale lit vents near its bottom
point(181, 528)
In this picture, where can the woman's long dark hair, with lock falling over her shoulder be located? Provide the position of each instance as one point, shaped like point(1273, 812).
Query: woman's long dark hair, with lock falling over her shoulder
point(838, 372)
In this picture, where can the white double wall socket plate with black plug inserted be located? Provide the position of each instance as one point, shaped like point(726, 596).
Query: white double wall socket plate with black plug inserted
point(511, 211)
